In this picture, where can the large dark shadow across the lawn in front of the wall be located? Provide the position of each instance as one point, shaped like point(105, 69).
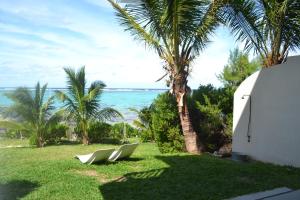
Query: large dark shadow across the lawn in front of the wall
point(197, 177)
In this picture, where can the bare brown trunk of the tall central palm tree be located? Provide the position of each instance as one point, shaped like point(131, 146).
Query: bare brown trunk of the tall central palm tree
point(192, 141)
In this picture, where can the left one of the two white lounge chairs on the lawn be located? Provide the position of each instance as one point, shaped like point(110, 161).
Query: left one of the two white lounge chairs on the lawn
point(99, 155)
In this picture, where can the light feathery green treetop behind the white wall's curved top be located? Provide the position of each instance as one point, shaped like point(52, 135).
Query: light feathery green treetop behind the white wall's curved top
point(238, 69)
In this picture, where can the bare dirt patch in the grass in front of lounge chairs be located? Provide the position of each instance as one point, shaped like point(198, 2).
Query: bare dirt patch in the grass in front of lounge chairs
point(100, 177)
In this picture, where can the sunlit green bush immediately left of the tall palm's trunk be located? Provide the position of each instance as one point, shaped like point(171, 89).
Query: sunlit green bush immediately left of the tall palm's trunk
point(166, 124)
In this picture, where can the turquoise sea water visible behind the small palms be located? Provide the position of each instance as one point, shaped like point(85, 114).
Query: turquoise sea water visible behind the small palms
point(120, 99)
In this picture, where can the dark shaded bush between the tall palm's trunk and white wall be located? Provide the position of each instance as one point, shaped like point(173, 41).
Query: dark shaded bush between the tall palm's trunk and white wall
point(211, 111)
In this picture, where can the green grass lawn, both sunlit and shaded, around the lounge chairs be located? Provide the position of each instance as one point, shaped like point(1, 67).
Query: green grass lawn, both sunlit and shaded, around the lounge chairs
point(53, 173)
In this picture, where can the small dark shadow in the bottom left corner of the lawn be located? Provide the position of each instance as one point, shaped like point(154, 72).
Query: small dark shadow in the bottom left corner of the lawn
point(16, 189)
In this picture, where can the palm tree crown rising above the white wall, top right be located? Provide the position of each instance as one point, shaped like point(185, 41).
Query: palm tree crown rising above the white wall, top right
point(270, 27)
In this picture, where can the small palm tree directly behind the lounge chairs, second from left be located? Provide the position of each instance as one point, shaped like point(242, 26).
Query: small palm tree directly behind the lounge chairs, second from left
point(83, 105)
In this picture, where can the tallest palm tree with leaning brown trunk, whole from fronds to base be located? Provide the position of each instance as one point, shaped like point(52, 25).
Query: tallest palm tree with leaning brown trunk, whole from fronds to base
point(178, 31)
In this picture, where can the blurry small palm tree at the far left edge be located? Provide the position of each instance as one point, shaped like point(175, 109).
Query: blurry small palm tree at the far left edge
point(31, 112)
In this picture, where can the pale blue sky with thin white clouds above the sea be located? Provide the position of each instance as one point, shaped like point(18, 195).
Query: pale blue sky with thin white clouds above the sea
point(38, 38)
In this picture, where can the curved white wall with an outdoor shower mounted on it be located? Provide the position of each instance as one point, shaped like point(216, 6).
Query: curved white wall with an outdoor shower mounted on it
point(267, 109)
